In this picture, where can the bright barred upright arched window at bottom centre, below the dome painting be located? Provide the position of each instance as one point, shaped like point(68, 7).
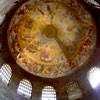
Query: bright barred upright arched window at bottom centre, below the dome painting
point(48, 93)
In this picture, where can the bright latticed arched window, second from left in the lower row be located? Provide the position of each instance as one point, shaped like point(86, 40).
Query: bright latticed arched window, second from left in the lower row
point(25, 88)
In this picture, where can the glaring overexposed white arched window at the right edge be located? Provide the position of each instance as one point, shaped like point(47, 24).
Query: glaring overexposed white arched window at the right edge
point(93, 77)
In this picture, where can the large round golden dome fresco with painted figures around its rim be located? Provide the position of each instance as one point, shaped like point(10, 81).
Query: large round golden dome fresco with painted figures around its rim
point(51, 38)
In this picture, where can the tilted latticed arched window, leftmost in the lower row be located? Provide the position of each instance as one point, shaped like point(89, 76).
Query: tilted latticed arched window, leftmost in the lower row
point(5, 73)
